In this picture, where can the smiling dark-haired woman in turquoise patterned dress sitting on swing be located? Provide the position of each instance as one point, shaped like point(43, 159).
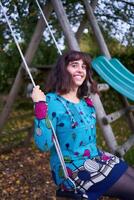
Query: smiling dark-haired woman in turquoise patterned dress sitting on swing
point(94, 172)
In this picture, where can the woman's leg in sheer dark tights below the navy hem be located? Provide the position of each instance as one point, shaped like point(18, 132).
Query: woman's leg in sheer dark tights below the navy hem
point(124, 187)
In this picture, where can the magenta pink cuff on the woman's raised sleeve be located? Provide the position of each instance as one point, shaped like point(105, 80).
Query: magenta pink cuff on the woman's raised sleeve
point(40, 110)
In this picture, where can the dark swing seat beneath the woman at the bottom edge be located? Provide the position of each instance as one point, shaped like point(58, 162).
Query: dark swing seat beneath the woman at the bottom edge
point(69, 195)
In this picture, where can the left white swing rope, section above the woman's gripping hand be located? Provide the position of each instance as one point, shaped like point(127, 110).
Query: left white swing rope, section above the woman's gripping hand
point(17, 44)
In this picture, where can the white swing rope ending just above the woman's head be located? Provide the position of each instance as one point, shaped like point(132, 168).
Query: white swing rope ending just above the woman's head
point(48, 27)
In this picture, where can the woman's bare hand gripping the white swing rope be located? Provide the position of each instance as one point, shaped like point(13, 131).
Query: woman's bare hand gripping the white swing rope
point(37, 95)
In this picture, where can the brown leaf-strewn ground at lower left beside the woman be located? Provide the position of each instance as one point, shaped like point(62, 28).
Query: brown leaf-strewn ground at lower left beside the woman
point(25, 175)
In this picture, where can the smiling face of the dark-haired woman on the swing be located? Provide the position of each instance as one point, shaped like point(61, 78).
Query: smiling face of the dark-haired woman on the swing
point(77, 70)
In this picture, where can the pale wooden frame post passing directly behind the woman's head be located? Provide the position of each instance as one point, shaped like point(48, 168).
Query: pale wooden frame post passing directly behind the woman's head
point(72, 42)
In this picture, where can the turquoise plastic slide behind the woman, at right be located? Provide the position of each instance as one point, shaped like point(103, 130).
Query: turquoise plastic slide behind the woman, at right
point(115, 74)
